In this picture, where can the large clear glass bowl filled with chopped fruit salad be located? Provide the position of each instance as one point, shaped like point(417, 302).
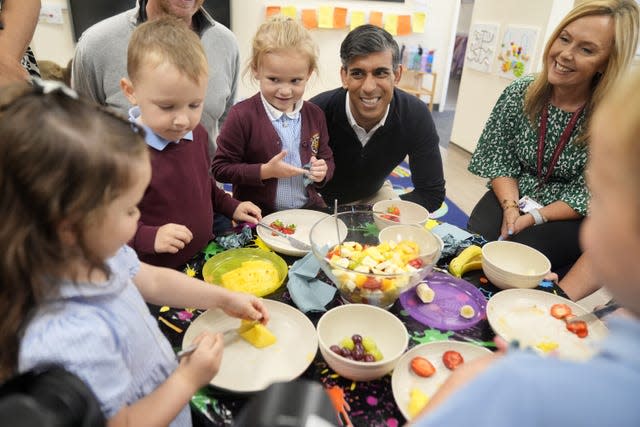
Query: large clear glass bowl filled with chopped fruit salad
point(366, 269)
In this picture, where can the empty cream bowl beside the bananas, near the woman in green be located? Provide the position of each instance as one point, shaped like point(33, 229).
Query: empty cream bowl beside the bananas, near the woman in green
point(513, 265)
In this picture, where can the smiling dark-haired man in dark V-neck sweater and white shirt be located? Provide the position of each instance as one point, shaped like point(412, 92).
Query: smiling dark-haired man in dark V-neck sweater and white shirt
point(373, 126)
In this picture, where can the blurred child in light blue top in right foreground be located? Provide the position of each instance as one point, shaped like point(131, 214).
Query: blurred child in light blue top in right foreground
point(524, 389)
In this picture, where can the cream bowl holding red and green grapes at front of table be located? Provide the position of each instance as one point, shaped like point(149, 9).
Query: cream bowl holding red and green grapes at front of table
point(386, 330)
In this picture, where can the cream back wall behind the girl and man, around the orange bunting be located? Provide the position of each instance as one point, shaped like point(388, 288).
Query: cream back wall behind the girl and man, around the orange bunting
point(55, 42)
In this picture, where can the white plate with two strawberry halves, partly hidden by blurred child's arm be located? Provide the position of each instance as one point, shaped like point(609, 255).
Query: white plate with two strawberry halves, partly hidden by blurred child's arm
point(404, 379)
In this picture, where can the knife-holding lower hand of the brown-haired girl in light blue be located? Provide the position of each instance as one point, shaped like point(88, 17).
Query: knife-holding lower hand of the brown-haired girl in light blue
point(203, 364)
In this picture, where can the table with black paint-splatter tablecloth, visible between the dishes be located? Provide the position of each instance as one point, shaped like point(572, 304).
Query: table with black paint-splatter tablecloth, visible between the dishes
point(371, 403)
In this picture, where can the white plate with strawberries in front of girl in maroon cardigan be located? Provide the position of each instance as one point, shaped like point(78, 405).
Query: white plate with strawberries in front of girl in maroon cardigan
point(304, 219)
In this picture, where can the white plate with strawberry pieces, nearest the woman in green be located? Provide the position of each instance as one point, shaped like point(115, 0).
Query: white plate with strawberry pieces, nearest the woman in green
point(524, 315)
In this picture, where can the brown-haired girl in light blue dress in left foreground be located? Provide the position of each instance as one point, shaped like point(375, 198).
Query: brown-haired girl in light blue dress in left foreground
point(74, 295)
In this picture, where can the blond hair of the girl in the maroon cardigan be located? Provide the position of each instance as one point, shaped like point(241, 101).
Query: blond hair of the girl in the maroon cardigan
point(278, 33)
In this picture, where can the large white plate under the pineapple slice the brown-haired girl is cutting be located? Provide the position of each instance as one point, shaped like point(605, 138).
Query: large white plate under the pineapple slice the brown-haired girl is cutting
point(245, 368)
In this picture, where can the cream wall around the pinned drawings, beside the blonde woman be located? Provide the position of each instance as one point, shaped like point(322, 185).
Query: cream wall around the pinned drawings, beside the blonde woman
point(479, 91)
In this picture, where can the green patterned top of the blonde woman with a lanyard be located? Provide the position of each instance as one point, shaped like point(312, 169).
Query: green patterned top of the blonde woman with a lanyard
point(508, 147)
